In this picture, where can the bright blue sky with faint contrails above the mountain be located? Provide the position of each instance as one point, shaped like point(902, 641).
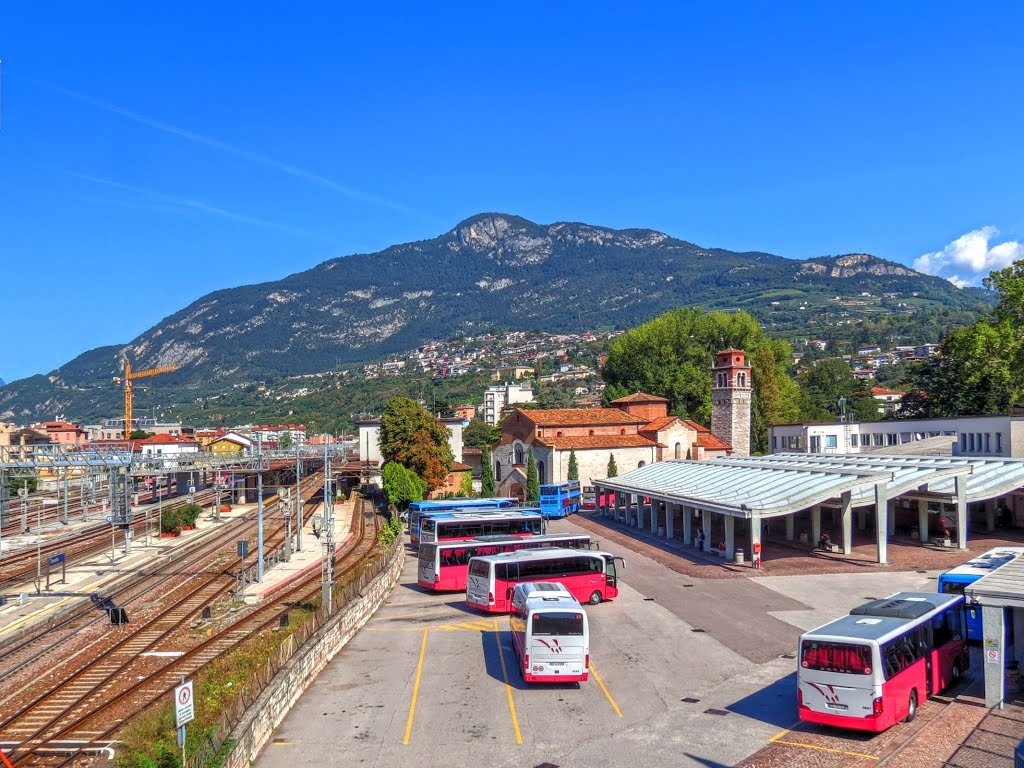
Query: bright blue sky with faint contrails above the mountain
point(151, 155)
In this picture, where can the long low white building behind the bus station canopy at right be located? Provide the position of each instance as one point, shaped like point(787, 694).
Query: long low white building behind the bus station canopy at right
point(972, 436)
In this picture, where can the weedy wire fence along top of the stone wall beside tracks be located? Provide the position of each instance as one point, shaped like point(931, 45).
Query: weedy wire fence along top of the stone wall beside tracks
point(212, 751)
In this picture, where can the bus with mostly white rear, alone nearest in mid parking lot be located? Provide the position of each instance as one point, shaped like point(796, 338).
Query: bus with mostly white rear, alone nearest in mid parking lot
point(550, 634)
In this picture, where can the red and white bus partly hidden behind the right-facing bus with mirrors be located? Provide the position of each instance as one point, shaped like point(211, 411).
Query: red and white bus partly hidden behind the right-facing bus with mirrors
point(444, 566)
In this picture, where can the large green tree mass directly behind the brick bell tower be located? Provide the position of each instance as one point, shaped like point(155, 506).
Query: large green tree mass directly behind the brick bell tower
point(672, 357)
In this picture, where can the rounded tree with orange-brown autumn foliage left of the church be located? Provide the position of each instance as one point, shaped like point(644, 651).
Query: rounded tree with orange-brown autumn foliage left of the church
point(414, 439)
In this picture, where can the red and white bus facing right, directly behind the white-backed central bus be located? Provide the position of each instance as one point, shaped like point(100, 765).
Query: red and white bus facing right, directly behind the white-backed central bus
point(590, 577)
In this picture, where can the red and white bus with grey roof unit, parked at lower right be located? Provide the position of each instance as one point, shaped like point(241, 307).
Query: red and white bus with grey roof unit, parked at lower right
point(872, 669)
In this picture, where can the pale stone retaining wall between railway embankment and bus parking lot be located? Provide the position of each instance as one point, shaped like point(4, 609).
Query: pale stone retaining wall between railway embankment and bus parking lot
point(276, 701)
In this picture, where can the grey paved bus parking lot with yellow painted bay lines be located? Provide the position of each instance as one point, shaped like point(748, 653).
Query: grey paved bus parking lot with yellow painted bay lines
point(689, 672)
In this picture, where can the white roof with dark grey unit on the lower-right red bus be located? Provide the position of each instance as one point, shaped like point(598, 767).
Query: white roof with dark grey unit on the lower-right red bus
point(879, 621)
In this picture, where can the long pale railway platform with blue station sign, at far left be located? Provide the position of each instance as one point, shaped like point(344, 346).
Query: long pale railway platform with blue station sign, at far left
point(26, 607)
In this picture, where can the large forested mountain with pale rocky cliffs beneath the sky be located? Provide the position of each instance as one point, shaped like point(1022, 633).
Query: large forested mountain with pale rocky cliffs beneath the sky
point(491, 273)
